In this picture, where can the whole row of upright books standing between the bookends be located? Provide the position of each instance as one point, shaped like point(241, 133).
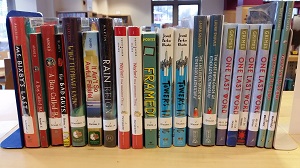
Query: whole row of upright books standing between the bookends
point(214, 84)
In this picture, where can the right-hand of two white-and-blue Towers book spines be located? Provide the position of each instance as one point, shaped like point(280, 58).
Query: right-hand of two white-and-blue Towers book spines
point(181, 56)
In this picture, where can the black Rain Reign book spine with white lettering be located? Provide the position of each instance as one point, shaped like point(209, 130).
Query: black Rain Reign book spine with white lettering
point(108, 83)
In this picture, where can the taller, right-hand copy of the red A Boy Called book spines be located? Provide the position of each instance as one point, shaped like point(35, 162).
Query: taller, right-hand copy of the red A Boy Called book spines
point(51, 76)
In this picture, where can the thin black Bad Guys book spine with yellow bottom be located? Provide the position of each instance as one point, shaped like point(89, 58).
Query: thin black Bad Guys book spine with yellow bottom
point(63, 90)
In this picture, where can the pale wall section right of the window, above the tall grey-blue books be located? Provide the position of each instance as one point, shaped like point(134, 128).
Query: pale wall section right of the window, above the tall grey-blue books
point(209, 7)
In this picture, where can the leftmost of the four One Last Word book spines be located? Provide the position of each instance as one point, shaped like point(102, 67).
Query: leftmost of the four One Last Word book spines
point(228, 46)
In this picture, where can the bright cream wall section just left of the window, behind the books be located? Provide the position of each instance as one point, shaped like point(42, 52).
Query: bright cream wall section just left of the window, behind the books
point(140, 10)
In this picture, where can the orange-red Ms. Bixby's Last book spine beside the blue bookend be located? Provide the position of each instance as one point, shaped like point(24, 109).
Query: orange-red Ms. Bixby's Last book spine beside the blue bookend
point(22, 57)
